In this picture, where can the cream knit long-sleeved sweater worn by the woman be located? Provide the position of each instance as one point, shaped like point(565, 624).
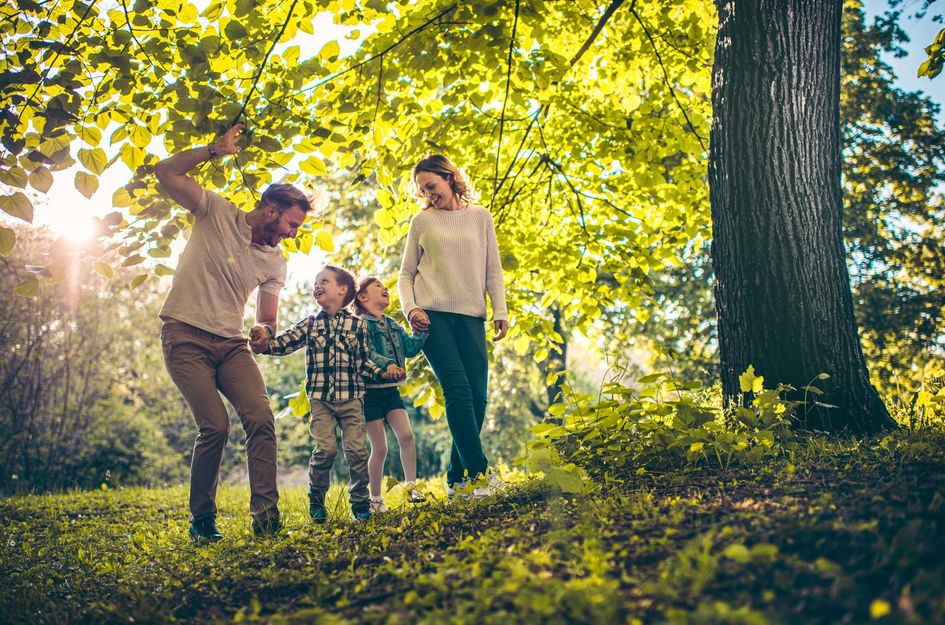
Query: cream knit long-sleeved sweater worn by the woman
point(450, 262)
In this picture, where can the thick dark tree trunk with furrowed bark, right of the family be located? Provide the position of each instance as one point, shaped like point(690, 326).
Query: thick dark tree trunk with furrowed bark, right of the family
point(782, 288)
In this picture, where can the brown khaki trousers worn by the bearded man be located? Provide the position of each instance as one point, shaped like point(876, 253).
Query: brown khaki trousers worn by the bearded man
point(203, 365)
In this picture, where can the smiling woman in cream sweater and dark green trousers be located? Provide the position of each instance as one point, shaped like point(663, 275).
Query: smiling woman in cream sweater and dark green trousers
point(450, 262)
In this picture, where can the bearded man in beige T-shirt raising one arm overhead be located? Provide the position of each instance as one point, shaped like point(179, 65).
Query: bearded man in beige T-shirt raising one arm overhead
point(229, 254)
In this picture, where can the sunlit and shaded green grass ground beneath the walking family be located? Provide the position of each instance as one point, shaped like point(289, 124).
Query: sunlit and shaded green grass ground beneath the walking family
point(847, 532)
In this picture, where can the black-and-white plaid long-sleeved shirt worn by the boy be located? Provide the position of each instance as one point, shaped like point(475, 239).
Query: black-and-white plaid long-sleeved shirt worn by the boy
point(336, 355)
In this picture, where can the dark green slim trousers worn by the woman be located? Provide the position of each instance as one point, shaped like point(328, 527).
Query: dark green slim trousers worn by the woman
point(456, 349)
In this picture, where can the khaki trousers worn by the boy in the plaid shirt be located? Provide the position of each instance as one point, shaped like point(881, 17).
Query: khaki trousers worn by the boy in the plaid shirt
point(350, 416)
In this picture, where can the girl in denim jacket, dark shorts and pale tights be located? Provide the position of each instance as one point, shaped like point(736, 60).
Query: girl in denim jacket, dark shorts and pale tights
point(390, 347)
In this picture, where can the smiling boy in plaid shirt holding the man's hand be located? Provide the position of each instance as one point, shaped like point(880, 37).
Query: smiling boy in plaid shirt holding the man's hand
point(336, 357)
